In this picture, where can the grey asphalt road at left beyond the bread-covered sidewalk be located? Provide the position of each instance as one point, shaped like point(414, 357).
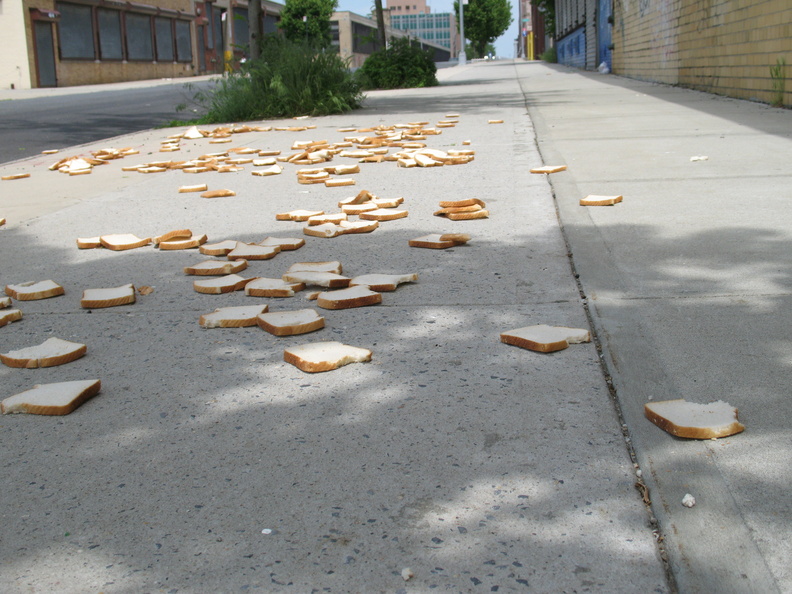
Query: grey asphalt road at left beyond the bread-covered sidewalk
point(29, 126)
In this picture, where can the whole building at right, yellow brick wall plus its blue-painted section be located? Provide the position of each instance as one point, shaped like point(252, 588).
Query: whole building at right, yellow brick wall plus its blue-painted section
point(727, 47)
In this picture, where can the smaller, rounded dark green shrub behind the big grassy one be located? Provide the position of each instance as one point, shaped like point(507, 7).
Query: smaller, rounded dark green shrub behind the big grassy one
point(401, 65)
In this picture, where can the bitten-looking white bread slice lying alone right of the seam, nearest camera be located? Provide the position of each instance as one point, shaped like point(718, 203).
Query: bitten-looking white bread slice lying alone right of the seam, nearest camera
point(693, 420)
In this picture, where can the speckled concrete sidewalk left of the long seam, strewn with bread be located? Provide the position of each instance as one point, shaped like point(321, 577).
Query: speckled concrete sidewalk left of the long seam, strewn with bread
point(209, 464)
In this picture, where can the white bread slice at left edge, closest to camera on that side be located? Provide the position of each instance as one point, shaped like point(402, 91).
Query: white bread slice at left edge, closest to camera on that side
point(51, 399)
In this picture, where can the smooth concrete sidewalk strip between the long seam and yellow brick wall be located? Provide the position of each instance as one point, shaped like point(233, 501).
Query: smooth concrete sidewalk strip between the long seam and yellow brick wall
point(688, 284)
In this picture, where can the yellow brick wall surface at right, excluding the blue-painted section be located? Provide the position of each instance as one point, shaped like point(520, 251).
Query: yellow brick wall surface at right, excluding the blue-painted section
point(720, 46)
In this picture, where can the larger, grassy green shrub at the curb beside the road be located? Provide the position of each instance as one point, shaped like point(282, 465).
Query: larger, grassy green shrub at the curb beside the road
point(289, 79)
